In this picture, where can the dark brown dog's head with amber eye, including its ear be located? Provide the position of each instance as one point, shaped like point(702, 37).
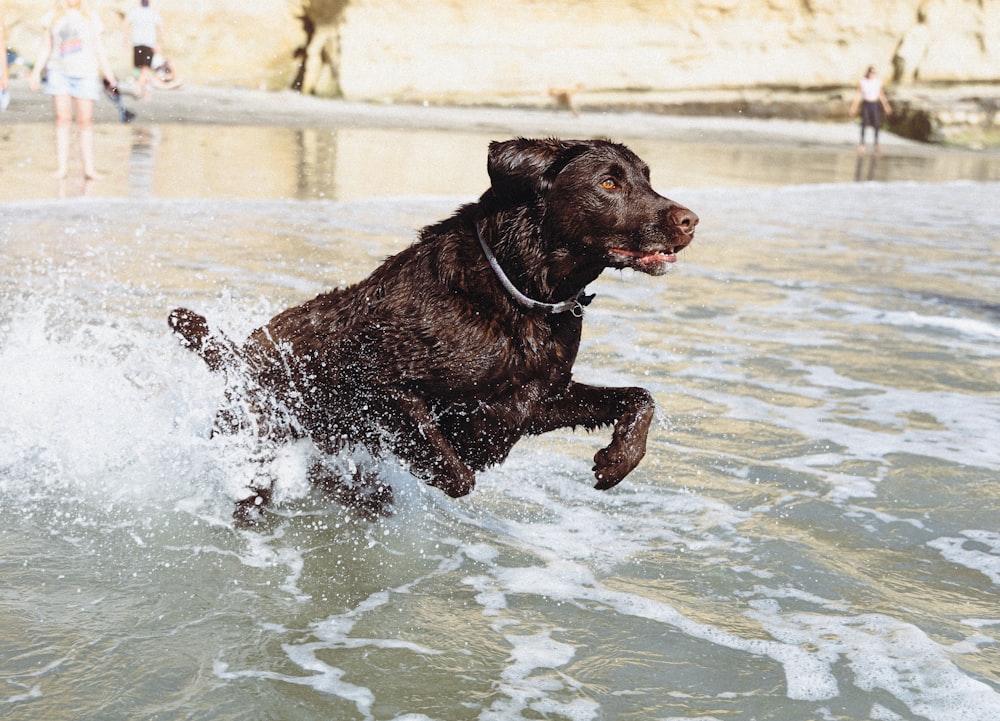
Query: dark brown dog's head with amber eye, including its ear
point(595, 198)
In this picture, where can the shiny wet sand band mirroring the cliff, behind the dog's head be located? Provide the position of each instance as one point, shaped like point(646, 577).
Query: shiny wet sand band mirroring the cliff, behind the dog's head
point(200, 161)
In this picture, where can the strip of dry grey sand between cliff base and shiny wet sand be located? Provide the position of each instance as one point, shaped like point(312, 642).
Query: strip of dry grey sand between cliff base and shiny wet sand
point(234, 106)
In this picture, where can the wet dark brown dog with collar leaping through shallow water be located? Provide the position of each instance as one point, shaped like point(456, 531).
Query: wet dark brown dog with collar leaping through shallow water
point(460, 345)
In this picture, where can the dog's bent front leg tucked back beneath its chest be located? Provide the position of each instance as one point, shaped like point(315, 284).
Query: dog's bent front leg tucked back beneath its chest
point(418, 440)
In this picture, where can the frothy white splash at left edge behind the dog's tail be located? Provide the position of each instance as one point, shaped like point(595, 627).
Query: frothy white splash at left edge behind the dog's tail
point(94, 410)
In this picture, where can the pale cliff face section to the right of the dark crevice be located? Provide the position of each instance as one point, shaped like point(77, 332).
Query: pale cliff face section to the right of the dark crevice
point(464, 49)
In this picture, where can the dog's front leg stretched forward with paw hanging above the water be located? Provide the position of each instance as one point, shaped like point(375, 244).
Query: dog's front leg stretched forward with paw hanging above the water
point(629, 409)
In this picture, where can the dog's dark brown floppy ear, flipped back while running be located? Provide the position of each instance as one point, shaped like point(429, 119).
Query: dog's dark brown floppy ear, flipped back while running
point(522, 168)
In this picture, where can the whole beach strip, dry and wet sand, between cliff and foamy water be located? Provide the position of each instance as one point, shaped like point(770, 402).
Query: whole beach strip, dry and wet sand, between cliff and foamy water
point(222, 143)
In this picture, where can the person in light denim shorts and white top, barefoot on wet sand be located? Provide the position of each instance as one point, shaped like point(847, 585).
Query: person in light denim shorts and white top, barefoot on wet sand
point(72, 56)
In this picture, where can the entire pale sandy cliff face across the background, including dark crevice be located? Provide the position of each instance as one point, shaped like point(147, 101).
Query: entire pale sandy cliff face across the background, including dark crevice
point(478, 50)
